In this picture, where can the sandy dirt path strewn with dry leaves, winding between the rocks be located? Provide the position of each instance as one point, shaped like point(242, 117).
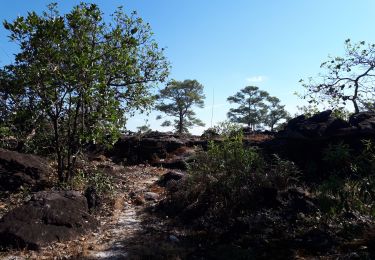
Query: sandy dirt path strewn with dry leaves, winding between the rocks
point(122, 234)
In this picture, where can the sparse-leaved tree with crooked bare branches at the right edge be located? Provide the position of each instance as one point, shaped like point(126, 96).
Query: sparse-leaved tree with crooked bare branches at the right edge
point(346, 79)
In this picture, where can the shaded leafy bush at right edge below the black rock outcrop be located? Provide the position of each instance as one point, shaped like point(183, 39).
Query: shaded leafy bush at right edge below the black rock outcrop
point(351, 185)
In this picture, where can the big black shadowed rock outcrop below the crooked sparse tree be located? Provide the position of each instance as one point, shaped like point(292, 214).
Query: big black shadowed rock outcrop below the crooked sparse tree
point(304, 140)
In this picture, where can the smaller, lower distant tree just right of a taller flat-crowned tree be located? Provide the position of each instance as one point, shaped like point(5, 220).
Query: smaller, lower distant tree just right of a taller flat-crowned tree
point(276, 112)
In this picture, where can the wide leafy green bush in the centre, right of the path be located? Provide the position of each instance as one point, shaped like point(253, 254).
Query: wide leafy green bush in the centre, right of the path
point(231, 180)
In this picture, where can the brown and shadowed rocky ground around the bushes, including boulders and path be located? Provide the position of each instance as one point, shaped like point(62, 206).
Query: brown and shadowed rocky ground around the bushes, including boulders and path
point(132, 223)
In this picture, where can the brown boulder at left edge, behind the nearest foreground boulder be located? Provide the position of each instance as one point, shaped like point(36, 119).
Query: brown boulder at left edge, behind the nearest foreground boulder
point(17, 169)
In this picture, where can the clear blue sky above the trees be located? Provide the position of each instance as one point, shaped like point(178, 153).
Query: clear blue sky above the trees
point(227, 45)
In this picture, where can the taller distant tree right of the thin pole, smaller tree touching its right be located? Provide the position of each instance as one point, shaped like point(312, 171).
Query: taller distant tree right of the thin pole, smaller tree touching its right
point(252, 107)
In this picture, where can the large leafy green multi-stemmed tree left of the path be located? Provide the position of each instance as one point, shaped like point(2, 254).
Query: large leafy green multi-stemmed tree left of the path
point(80, 75)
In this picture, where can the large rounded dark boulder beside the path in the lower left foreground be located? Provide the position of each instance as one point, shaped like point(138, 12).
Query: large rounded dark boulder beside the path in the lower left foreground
point(47, 217)
